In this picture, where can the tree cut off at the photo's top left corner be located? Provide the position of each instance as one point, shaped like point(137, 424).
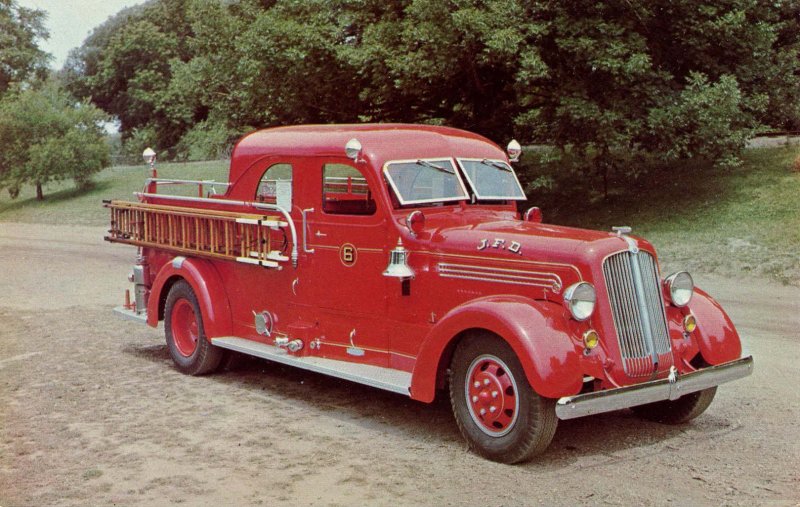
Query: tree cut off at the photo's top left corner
point(20, 56)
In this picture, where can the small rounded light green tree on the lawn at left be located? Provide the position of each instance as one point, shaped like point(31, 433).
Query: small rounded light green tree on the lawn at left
point(49, 136)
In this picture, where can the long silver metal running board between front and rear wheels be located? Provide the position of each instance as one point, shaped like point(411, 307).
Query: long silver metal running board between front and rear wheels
point(388, 379)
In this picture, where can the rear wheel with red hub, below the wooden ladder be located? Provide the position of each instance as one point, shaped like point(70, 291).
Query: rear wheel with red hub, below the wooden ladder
point(191, 351)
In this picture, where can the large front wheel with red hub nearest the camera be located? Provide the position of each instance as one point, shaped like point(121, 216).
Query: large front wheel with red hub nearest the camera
point(522, 423)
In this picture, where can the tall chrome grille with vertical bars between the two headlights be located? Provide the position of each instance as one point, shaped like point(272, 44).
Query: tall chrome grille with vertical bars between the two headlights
point(638, 309)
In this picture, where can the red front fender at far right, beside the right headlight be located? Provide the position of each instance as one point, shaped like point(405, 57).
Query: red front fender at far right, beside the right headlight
point(717, 338)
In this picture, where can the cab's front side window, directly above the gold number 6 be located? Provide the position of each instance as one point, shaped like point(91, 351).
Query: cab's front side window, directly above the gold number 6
point(345, 191)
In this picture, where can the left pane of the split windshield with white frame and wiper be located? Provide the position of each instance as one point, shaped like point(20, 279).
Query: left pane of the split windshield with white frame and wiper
point(425, 181)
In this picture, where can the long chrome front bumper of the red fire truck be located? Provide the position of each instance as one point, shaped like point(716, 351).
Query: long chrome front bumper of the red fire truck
point(570, 407)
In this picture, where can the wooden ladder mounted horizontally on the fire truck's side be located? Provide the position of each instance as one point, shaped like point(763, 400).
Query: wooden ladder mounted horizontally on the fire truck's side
point(242, 237)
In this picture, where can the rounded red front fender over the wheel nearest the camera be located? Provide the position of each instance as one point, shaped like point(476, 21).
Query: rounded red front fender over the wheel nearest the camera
point(536, 330)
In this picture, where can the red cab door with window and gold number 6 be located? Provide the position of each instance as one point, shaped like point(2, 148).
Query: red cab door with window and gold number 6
point(342, 280)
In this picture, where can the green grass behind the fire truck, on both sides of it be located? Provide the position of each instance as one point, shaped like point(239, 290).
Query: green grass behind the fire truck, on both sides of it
point(740, 221)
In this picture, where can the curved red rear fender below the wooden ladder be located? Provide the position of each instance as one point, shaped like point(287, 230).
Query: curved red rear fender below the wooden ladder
point(208, 287)
